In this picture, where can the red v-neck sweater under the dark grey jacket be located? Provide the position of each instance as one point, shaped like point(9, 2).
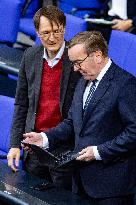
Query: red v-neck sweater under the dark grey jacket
point(48, 112)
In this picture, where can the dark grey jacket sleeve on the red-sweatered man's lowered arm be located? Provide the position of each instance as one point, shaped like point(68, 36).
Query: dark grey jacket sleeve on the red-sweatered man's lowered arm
point(20, 108)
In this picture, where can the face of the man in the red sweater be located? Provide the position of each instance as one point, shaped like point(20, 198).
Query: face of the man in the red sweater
point(52, 36)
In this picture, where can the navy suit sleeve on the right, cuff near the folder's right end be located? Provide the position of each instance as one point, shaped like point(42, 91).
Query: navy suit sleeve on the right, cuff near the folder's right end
point(125, 143)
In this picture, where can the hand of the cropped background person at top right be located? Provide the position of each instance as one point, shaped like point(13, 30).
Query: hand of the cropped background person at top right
point(122, 25)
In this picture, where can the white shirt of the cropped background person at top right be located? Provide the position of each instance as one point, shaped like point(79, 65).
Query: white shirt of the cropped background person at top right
point(119, 8)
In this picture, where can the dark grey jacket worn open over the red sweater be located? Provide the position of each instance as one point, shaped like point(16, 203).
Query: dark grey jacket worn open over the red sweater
point(28, 89)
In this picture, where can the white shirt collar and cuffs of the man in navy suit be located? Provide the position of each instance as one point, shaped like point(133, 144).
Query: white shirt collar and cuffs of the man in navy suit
point(99, 78)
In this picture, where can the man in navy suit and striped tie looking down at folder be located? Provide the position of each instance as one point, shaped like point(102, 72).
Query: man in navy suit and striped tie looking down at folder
point(103, 119)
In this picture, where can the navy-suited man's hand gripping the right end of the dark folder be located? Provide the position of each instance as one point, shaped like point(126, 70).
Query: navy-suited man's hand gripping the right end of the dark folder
point(86, 154)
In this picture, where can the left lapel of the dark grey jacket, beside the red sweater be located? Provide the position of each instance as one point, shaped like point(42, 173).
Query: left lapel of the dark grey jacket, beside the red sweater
point(38, 65)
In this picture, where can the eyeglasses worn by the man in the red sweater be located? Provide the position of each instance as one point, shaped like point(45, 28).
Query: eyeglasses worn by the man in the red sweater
point(47, 34)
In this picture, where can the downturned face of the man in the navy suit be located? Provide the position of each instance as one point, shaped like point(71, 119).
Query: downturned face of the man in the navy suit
point(87, 65)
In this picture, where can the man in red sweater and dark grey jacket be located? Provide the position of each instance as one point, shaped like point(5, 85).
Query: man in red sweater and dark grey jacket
point(44, 92)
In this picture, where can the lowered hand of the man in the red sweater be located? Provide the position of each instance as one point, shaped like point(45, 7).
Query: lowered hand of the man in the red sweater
point(14, 154)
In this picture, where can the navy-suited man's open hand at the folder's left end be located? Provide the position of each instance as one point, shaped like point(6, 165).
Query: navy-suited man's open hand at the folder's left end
point(33, 138)
